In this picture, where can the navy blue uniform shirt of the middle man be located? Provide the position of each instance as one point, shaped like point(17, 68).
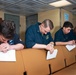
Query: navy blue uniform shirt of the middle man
point(33, 36)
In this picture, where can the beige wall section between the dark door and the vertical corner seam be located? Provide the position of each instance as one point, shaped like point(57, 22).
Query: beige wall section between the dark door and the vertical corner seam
point(52, 15)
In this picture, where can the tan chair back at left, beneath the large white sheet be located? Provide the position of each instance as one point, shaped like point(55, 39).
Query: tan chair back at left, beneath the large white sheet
point(12, 68)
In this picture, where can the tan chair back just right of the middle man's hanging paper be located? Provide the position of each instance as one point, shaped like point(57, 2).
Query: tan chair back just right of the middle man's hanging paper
point(58, 62)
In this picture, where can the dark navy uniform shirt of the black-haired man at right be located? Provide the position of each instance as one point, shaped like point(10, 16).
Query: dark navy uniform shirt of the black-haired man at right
point(61, 37)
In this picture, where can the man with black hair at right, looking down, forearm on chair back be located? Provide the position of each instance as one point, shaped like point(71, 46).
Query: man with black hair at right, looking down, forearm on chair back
point(64, 35)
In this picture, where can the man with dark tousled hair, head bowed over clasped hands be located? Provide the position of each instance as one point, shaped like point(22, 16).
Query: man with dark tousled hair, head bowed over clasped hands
point(8, 38)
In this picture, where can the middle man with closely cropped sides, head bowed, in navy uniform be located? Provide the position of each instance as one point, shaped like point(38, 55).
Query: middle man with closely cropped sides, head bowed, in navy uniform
point(38, 36)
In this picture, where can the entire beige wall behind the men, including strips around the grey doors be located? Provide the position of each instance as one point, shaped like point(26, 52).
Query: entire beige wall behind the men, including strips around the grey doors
point(54, 15)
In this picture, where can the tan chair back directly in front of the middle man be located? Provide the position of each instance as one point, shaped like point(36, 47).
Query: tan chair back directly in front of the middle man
point(35, 62)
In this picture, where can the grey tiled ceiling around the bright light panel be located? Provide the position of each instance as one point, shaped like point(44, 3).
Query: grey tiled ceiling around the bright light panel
point(29, 7)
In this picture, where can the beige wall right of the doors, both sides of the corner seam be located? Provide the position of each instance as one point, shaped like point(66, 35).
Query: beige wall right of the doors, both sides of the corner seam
point(57, 16)
